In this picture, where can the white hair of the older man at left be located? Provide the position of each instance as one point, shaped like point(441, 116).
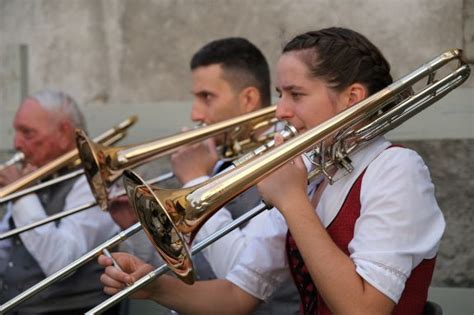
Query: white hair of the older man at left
point(62, 104)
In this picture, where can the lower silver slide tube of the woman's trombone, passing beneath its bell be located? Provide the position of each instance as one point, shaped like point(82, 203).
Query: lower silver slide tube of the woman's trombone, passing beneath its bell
point(147, 279)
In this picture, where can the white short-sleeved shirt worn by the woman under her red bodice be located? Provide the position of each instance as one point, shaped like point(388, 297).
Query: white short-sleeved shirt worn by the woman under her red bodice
point(400, 224)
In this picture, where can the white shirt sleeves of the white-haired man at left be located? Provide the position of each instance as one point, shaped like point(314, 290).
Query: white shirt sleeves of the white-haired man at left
point(55, 246)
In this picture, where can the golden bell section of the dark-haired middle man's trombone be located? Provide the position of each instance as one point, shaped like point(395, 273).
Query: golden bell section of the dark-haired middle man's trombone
point(103, 165)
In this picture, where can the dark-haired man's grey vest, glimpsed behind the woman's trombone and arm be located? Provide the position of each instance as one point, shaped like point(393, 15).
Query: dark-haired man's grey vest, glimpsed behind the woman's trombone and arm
point(285, 300)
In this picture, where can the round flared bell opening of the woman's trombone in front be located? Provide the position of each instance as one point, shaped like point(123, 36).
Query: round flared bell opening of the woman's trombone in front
point(156, 220)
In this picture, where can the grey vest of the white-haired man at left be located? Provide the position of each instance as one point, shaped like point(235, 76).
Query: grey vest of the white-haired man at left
point(79, 290)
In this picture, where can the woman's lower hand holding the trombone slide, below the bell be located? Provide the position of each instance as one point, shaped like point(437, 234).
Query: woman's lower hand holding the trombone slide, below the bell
point(133, 269)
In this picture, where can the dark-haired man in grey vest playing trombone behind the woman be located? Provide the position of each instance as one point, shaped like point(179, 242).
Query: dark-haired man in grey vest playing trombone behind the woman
point(230, 77)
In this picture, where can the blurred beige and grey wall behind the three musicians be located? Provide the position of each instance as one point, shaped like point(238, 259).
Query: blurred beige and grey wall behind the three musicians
point(119, 57)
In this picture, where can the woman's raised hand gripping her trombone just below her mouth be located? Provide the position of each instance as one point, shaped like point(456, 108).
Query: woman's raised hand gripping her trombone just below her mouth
point(285, 187)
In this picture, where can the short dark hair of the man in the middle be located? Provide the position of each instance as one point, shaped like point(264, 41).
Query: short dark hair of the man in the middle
point(242, 62)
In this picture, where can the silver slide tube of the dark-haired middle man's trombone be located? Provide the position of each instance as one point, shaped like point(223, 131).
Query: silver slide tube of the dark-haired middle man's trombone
point(74, 210)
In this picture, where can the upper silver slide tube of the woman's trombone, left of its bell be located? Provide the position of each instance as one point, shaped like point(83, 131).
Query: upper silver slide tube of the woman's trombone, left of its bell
point(64, 272)
